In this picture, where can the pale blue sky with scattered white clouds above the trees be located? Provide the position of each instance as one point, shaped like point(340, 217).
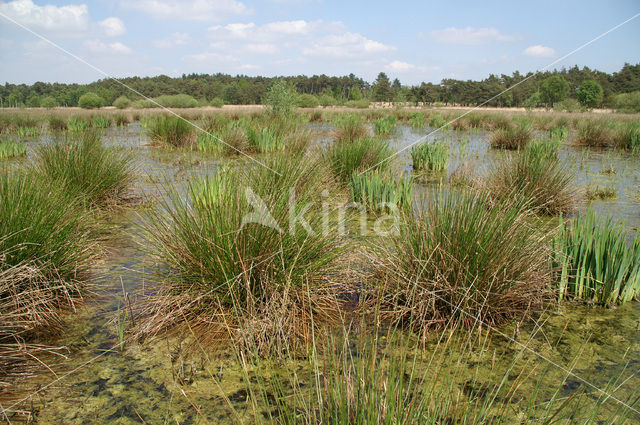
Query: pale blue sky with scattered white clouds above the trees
point(413, 41)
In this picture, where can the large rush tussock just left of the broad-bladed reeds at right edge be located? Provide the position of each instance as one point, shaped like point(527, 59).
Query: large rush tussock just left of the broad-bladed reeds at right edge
point(463, 256)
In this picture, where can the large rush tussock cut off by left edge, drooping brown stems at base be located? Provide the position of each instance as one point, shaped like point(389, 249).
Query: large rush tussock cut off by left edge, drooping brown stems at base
point(46, 248)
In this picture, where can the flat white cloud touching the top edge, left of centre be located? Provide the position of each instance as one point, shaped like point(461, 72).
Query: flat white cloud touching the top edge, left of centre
point(192, 10)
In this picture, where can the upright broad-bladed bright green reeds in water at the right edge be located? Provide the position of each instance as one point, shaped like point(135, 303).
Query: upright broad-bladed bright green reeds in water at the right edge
point(594, 262)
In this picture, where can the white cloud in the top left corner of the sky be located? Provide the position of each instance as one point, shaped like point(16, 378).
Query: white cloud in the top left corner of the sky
point(69, 18)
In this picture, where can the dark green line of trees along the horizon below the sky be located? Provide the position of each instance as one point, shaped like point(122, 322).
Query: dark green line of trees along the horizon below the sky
point(592, 88)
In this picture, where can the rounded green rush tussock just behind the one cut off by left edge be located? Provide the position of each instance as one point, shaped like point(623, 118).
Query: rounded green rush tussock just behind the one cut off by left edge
point(82, 165)
